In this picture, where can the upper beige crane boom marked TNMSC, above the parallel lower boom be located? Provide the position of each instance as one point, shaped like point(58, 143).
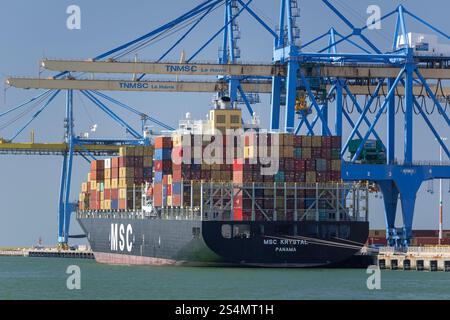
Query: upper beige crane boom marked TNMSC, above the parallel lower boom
point(207, 69)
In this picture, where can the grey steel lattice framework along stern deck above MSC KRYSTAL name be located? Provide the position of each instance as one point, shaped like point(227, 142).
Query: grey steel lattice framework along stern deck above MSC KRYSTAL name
point(280, 201)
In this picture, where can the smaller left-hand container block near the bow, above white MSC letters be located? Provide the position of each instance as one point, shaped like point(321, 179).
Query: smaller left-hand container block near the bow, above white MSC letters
point(117, 183)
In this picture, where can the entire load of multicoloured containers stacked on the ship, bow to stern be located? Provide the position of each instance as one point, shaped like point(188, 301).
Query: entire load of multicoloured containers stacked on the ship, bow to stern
point(117, 184)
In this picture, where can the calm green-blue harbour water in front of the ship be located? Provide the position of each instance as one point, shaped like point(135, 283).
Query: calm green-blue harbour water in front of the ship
point(46, 278)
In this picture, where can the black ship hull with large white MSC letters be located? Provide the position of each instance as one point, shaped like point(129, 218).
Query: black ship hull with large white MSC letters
point(223, 243)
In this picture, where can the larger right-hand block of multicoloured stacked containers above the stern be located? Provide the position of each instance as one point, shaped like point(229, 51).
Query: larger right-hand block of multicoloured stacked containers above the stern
point(301, 160)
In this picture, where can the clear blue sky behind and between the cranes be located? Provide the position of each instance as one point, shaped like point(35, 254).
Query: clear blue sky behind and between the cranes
point(31, 30)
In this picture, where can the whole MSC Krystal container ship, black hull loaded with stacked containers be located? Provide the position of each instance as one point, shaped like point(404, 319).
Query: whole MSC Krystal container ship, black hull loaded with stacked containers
point(218, 192)
